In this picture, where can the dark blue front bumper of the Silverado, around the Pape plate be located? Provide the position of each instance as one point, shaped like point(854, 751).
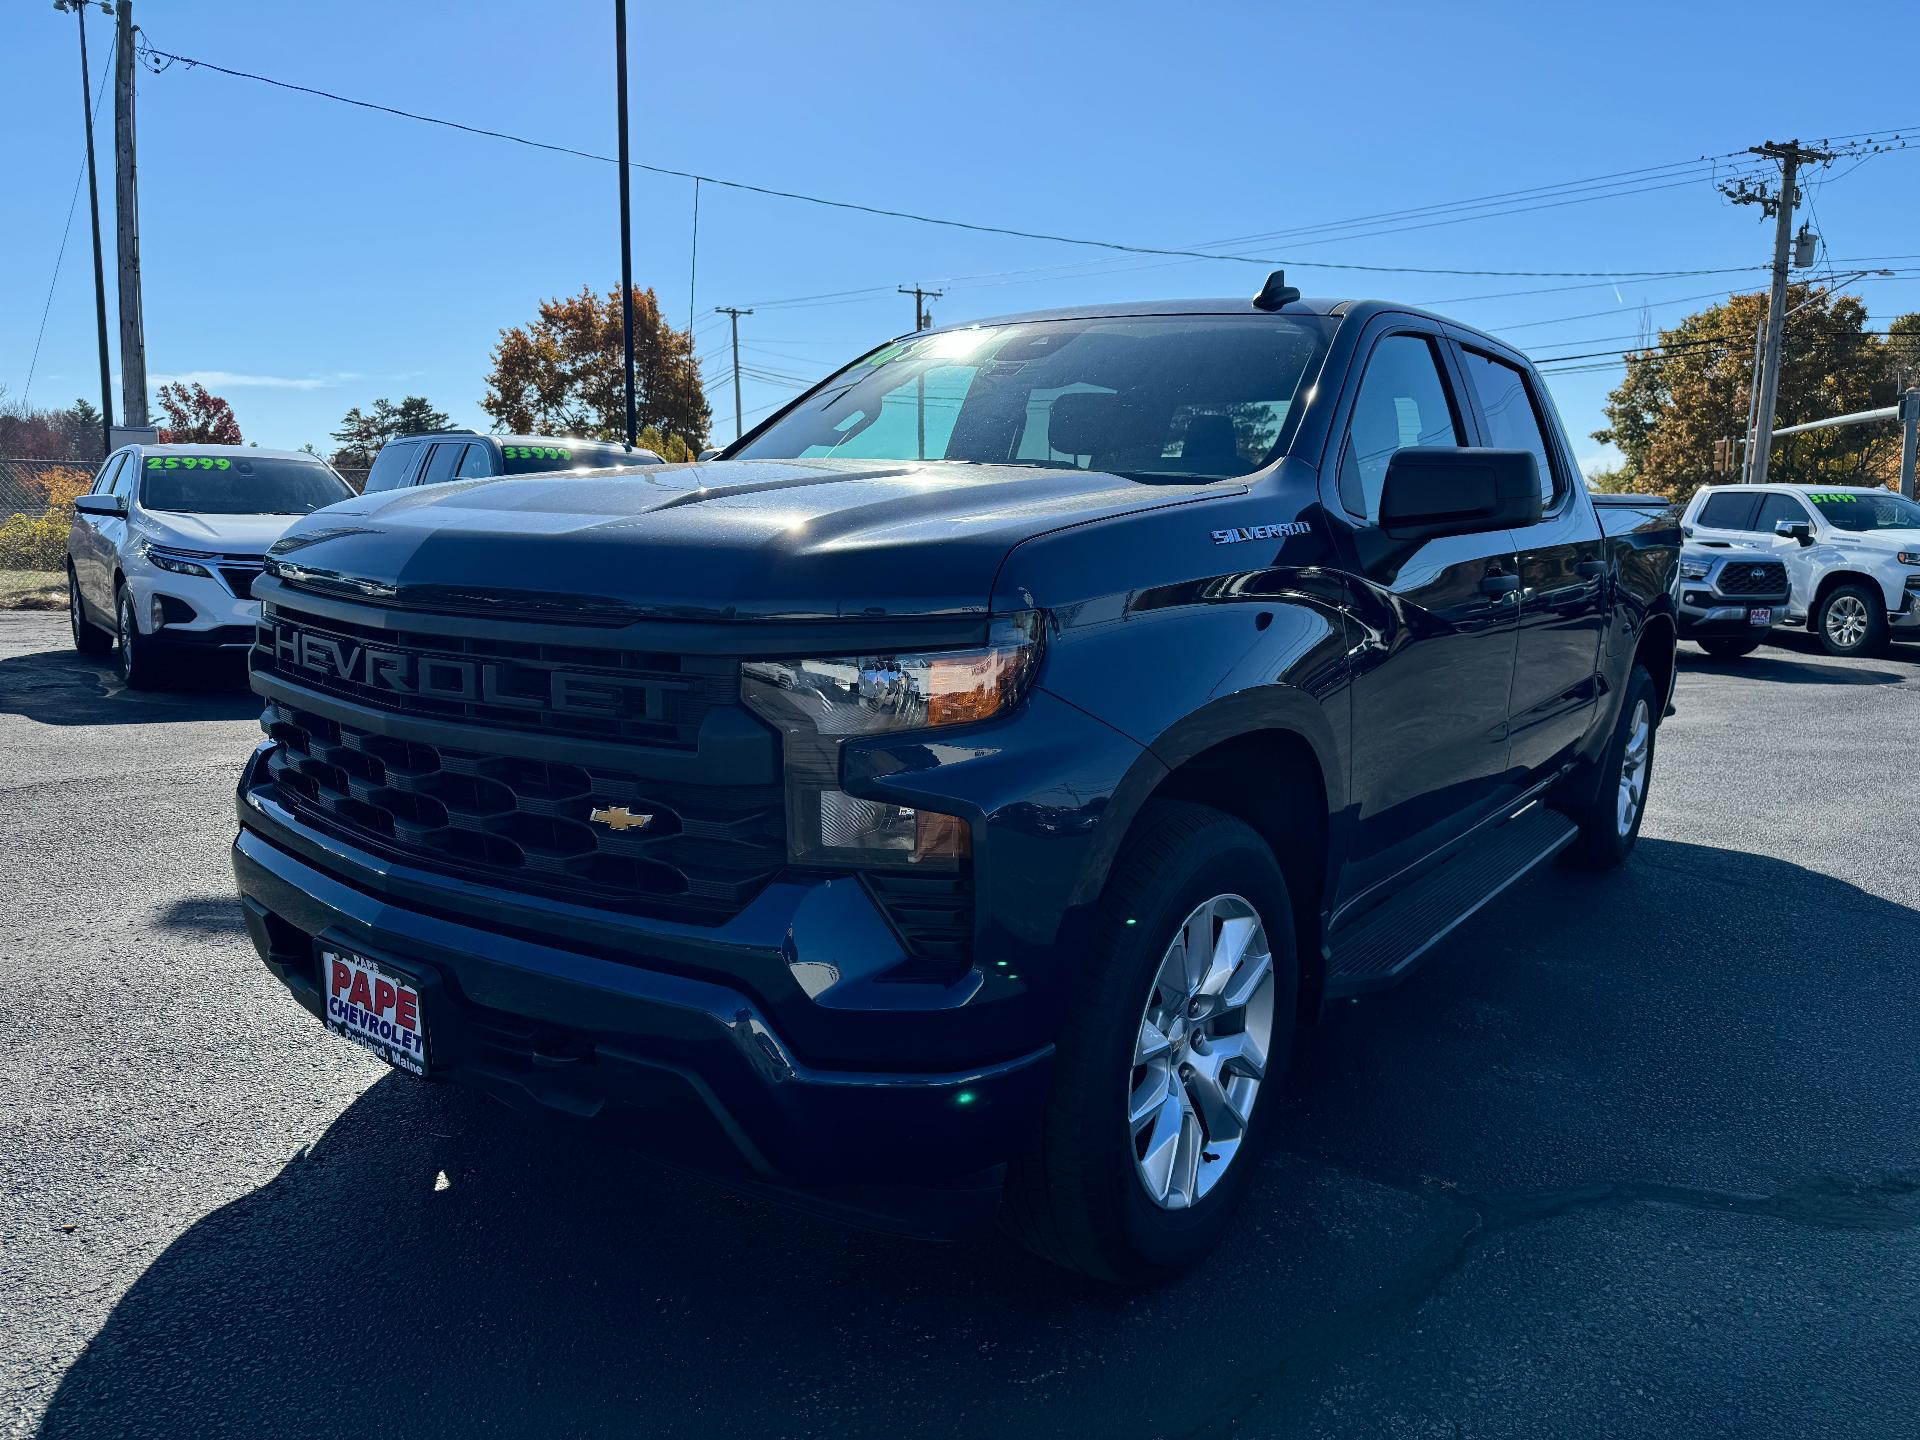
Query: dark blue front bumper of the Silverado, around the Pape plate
point(546, 1024)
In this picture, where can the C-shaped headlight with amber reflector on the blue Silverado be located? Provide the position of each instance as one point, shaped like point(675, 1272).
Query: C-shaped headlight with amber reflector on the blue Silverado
point(819, 706)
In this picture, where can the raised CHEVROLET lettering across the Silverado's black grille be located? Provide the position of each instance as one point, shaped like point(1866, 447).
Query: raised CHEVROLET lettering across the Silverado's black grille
point(510, 684)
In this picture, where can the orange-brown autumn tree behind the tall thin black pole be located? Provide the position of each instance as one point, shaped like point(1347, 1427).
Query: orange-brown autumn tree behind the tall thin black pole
point(565, 373)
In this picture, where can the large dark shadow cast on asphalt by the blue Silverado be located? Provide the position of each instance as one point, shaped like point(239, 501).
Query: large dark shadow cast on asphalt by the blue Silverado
point(439, 1266)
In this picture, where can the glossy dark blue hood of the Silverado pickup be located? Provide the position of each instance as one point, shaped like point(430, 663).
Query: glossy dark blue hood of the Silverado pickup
point(725, 540)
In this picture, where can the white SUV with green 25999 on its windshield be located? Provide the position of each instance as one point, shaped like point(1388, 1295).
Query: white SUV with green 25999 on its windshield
point(164, 548)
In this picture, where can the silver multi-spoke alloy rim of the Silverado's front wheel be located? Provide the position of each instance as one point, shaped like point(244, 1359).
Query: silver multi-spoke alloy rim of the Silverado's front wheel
point(1201, 1053)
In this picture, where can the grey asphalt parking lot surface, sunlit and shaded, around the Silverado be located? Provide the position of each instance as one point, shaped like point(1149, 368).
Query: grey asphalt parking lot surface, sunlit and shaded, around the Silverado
point(1633, 1155)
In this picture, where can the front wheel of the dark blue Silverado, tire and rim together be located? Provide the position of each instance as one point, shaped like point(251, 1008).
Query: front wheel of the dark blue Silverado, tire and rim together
point(1184, 1024)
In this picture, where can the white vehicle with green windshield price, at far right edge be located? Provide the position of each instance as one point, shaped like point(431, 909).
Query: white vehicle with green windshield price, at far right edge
point(1852, 556)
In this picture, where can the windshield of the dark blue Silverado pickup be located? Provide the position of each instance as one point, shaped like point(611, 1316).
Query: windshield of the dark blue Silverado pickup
point(1157, 398)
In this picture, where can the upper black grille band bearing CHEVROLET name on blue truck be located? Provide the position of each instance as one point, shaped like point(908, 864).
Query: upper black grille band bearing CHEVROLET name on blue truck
point(585, 692)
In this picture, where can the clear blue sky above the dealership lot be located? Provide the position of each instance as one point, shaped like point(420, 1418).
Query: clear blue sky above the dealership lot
point(302, 256)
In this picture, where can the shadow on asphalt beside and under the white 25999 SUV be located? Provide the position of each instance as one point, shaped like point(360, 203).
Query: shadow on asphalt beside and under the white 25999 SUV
point(62, 688)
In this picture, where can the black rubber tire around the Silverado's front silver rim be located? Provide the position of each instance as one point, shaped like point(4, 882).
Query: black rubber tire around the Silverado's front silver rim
point(1078, 1197)
